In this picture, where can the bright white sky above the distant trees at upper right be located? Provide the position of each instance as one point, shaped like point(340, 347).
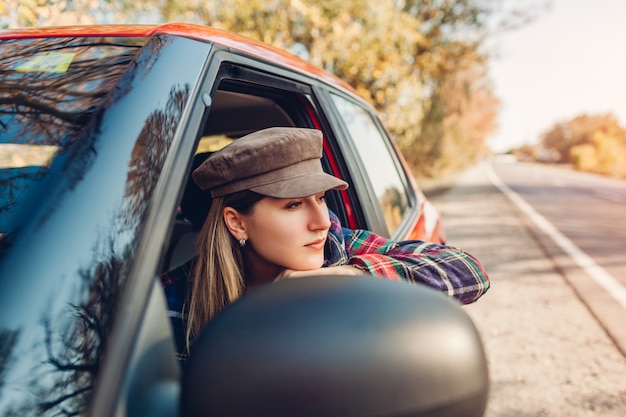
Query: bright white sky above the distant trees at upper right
point(570, 60)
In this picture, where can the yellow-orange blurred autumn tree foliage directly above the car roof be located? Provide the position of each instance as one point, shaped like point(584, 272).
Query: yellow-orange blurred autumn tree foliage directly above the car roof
point(420, 63)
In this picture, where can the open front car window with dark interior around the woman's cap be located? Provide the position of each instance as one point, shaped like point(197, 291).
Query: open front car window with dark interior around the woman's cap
point(244, 101)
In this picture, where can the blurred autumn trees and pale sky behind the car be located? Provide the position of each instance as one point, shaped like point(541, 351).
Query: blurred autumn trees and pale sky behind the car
point(454, 80)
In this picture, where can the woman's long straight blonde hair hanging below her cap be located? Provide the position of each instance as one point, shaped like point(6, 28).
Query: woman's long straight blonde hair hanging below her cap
point(217, 278)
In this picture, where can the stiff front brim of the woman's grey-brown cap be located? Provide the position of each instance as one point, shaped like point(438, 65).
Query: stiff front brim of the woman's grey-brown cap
point(303, 186)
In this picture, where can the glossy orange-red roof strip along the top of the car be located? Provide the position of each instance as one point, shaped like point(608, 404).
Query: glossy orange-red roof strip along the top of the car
point(206, 33)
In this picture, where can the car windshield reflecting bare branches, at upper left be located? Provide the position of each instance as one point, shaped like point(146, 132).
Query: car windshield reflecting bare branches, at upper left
point(51, 94)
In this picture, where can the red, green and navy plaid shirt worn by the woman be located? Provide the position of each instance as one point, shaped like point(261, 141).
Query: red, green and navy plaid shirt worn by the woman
point(447, 269)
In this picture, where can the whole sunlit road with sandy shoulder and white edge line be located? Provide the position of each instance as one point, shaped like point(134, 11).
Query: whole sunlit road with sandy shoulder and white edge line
point(554, 244)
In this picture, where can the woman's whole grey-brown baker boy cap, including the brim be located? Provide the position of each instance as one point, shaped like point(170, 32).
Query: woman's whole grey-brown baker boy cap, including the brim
point(282, 162)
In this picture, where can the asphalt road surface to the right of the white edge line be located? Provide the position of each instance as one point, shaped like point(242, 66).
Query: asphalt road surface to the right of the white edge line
point(588, 209)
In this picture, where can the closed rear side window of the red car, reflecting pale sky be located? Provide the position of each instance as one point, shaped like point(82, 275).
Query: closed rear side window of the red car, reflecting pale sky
point(379, 161)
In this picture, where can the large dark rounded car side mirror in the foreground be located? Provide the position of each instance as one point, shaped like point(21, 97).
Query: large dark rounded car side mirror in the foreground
point(338, 346)
